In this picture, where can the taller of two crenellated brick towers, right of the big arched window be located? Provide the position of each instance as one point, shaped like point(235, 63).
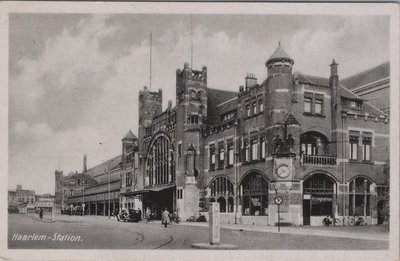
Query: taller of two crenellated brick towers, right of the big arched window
point(191, 109)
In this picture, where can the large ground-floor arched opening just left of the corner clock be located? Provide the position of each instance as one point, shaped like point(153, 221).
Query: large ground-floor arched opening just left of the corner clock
point(254, 194)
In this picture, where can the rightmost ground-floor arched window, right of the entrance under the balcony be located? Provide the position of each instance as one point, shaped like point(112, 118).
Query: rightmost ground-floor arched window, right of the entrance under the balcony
point(360, 197)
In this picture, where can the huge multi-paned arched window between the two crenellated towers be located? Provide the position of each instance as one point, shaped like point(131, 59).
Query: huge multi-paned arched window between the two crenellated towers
point(160, 168)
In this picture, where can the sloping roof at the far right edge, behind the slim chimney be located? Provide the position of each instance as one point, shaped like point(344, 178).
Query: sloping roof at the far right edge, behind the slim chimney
point(374, 74)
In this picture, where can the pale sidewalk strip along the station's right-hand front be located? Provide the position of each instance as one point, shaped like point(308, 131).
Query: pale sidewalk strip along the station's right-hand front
point(306, 231)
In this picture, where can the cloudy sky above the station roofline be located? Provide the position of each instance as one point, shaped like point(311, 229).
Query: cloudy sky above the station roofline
point(74, 79)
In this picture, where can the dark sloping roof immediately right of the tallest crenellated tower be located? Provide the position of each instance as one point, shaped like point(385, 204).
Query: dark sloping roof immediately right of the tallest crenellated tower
point(214, 98)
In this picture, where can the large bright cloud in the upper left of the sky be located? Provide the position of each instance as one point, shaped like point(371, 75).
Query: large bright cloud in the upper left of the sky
point(66, 77)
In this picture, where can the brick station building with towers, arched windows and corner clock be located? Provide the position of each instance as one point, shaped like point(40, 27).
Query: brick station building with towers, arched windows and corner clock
point(307, 139)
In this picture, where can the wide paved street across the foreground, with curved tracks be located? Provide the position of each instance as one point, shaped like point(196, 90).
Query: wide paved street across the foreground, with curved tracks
point(90, 232)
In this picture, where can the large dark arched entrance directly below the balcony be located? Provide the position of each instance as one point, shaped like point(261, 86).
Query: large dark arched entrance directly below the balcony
point(318, 198)
